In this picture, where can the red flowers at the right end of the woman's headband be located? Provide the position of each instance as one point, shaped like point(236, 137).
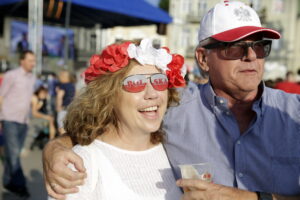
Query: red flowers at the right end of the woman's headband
point(174, 74)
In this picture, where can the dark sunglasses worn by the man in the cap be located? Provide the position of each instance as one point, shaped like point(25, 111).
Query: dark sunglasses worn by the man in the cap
point(238, 50)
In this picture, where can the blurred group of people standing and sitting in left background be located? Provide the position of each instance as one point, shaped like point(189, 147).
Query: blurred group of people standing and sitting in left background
point(32, 113)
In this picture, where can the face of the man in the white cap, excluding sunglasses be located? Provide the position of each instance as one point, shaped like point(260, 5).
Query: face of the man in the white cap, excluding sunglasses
point(235, 76)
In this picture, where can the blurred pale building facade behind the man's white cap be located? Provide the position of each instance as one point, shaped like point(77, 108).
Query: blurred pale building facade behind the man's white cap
point(281, 15)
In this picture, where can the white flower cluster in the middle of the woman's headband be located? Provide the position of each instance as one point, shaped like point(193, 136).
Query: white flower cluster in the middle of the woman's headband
point(146, 54)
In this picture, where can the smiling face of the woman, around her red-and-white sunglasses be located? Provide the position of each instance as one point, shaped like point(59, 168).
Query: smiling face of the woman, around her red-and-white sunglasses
point(141, 112)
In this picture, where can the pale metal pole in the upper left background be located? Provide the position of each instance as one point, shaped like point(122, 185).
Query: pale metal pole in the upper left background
point(35, 31)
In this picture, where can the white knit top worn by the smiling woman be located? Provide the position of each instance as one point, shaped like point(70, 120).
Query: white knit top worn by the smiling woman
point(114, 173)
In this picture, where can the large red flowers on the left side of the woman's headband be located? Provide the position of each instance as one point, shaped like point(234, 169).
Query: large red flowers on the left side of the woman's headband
point(112, 58)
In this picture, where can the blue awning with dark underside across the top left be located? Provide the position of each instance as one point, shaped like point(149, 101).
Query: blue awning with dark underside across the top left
point(87, 13)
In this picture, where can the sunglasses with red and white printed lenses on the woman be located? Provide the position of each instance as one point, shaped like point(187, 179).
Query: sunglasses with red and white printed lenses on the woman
point(137, 83)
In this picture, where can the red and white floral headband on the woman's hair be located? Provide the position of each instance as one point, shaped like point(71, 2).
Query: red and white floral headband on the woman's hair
point(116, 56)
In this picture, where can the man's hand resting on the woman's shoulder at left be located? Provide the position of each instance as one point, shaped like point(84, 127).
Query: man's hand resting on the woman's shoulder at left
point(59, 178)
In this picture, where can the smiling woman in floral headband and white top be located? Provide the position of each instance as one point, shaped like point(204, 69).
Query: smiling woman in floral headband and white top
point(116, 123)
